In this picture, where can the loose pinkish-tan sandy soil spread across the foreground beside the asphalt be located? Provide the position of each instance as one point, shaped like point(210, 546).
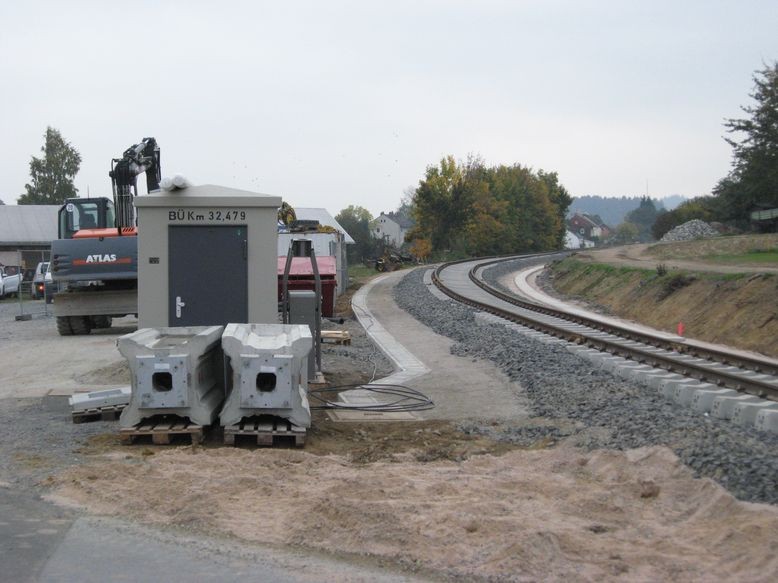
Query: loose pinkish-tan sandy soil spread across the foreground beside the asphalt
point(555, 514)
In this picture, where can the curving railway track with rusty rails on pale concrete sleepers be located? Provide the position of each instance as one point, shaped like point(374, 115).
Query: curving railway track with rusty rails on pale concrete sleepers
point(463, 282)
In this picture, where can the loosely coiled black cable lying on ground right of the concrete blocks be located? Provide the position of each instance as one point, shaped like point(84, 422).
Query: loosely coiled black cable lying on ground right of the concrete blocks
point(406, 398)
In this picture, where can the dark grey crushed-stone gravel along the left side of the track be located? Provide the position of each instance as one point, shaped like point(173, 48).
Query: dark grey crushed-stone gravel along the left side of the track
point(603, 411)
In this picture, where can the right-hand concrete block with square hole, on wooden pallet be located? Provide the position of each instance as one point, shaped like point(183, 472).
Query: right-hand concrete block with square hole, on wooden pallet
point(267, 372)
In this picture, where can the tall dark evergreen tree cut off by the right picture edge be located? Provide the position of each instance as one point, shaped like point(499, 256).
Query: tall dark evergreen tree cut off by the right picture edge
point(753, 180)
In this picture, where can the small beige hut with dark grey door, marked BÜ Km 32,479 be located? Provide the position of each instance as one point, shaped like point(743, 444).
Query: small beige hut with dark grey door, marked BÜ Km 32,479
point(206, 256)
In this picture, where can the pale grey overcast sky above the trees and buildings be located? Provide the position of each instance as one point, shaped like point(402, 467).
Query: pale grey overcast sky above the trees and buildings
point(337, 103)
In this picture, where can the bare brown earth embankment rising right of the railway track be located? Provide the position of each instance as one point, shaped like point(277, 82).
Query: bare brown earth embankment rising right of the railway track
point(724, 304)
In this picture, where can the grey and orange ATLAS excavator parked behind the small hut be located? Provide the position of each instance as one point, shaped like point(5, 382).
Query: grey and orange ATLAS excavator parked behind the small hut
point(94, 261)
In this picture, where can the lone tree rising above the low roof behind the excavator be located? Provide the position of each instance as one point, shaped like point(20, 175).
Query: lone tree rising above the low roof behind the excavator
point(52, 176)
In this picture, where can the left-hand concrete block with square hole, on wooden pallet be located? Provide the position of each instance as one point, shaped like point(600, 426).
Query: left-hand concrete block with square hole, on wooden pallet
point(174, 371)
